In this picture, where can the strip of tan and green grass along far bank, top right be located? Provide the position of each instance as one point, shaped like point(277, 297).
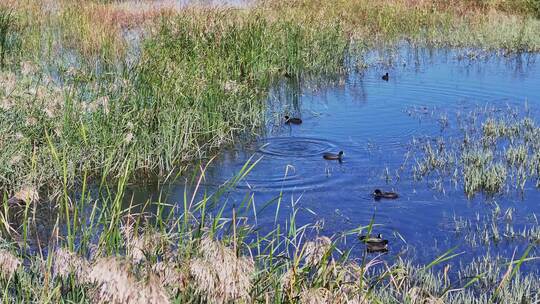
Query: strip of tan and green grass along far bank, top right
point(481, 24)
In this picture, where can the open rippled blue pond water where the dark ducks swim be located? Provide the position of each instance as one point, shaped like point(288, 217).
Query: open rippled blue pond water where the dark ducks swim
point(375, 122)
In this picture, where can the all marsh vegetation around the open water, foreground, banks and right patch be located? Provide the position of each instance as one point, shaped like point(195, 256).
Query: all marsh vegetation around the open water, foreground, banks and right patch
point(97, 94)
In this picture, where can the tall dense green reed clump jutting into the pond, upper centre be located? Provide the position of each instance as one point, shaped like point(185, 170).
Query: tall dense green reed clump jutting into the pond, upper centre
point(204, 75)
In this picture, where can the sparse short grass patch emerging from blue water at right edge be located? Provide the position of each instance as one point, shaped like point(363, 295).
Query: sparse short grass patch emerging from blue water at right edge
point(495, 153)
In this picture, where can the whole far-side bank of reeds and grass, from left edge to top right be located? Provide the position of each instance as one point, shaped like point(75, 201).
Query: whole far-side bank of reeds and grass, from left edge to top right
point(195, 79)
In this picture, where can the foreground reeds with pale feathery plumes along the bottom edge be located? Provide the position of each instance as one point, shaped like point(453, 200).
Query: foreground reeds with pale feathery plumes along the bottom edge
point(195, 252)
